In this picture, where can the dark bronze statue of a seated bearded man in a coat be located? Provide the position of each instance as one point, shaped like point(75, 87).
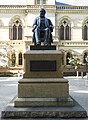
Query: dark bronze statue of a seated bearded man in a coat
point(42, 30)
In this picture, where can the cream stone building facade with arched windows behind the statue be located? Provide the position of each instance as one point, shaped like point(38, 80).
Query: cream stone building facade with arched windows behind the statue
point(16, 19)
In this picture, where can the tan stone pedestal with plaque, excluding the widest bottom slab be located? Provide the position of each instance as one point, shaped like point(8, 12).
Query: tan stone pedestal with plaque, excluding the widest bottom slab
point(43, 83)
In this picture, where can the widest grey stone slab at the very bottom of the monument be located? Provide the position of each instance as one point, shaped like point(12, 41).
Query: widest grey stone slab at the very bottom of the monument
point(43, 112)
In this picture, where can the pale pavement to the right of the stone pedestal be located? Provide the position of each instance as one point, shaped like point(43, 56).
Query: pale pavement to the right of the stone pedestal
point(79, 90)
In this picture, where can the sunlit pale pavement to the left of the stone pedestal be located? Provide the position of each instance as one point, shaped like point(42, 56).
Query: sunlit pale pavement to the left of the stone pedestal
point(8, 89)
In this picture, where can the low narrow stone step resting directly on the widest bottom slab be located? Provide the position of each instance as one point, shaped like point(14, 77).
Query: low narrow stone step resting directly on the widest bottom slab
point(43, 102)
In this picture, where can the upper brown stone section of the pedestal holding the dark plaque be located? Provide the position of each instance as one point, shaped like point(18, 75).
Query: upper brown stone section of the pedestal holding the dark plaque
point(42, 64)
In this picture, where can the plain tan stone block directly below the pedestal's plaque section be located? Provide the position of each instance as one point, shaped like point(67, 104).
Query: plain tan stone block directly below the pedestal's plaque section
point(43, 88)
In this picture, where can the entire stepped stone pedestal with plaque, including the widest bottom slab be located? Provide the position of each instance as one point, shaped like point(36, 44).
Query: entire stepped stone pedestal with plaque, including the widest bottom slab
point(43, 92)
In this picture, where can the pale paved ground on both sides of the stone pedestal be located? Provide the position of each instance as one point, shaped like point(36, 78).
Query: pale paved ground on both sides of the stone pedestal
point(78, 90)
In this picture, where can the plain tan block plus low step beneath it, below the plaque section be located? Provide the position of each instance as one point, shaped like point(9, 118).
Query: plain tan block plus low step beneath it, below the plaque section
point(43, 92)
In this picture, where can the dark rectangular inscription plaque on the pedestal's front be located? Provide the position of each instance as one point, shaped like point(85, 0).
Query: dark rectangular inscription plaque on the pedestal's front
point(42, 65)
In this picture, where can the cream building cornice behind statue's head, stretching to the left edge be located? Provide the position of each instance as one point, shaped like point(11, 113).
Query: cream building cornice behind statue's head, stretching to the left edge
point(25, 8)
